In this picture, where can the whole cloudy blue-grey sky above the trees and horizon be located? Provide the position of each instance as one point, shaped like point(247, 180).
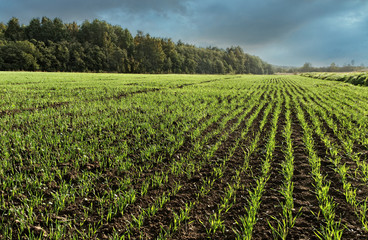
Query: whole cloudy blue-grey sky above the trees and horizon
point(281, 32)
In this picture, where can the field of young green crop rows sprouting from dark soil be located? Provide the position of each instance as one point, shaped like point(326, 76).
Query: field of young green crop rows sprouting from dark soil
point(109, 156)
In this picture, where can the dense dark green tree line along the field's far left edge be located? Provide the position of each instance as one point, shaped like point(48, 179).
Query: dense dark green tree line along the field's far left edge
point(51, 45)
